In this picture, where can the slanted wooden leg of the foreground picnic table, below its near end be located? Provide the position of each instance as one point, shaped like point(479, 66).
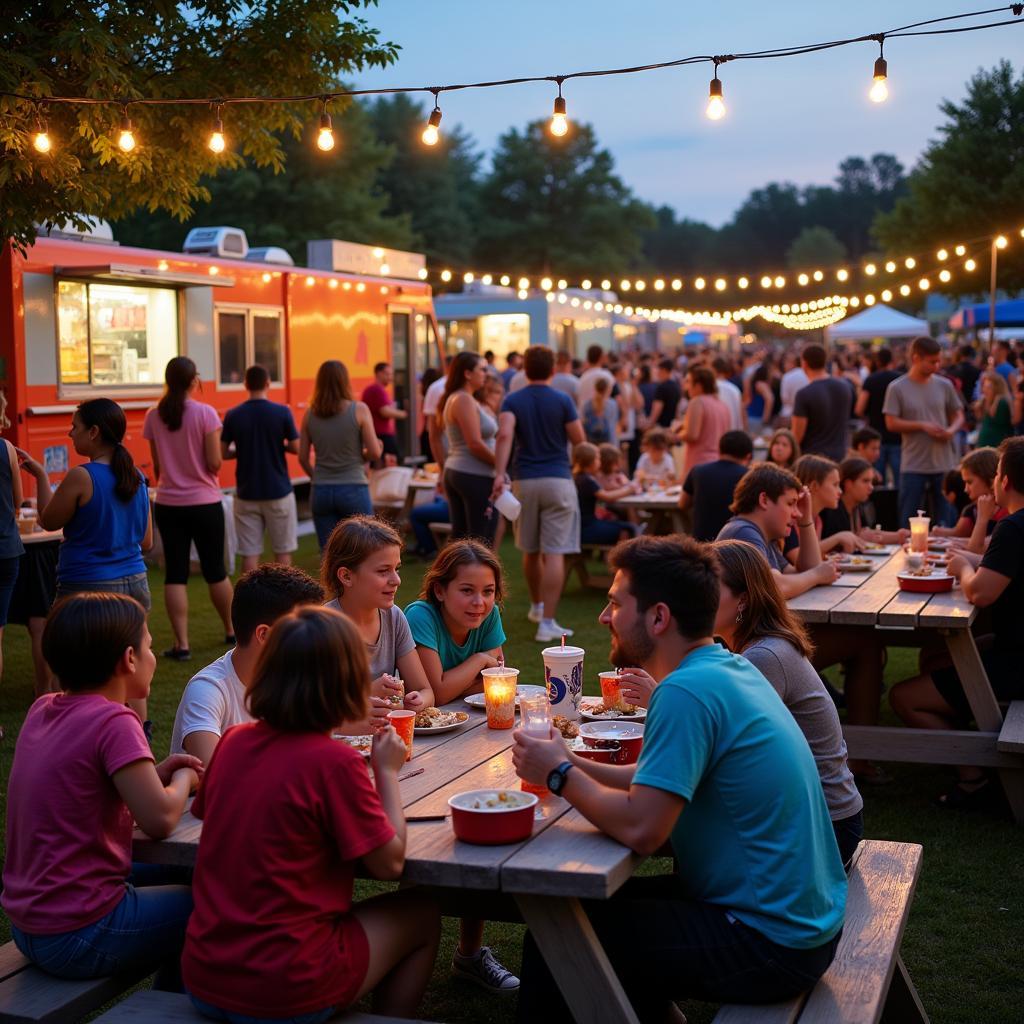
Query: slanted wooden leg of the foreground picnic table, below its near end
point(577, 960)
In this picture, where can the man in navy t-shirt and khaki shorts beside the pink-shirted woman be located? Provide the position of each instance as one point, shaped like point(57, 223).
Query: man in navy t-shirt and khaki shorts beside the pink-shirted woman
point(259, 434)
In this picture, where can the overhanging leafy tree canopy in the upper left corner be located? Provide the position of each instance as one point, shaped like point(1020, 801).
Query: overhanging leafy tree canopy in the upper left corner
point(160, 50)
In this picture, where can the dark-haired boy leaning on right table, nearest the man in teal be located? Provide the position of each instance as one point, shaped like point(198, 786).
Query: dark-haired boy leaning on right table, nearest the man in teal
point(769, 501)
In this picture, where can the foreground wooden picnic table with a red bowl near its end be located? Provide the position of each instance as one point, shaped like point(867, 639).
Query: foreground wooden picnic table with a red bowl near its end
point(567, 860)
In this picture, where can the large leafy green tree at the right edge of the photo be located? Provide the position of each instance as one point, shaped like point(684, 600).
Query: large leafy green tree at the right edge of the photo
point(970, 182)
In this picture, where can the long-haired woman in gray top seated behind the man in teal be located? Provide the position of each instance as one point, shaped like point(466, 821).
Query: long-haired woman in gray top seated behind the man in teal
point(755, 622)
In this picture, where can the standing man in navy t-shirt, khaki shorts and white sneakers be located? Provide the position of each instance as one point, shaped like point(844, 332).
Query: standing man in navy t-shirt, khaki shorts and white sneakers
point(543, 422)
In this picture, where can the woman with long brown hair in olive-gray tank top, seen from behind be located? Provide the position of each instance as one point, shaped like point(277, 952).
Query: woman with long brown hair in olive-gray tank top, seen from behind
point(342, 434)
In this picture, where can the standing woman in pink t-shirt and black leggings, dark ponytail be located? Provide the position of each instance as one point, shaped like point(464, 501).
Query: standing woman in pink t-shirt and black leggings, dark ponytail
point(185, 441)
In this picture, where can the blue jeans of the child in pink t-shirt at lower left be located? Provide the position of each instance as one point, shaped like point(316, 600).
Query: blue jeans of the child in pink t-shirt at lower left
point(146, 930)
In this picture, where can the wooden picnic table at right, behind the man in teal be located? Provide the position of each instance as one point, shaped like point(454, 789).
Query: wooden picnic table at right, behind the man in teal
point(913, 621)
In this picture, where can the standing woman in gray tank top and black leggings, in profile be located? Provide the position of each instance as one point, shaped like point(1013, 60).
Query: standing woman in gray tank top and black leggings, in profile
point(470, 465)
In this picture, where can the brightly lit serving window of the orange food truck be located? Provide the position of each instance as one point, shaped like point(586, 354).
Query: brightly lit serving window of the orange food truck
point(115, 335)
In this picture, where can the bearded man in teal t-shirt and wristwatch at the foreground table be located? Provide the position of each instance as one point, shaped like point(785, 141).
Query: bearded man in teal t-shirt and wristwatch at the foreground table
point(756, 910)
